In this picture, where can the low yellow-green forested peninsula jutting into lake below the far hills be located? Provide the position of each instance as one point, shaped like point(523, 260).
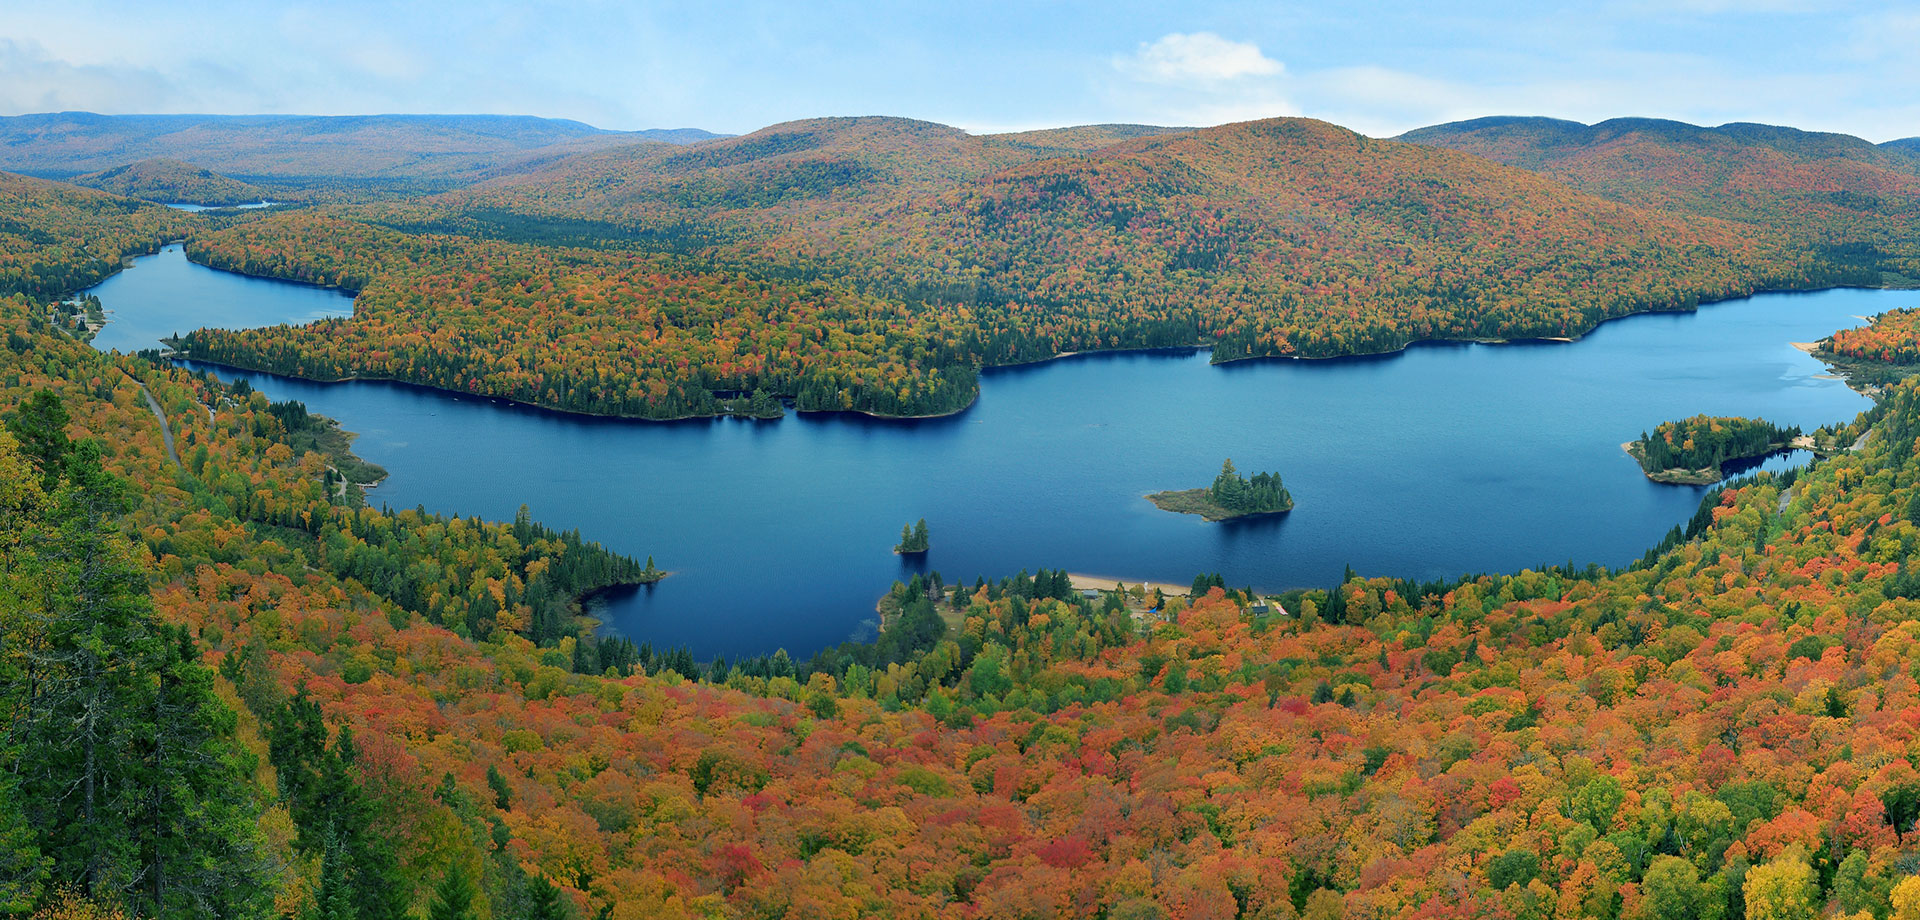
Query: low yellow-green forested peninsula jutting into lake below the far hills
point(585, 331)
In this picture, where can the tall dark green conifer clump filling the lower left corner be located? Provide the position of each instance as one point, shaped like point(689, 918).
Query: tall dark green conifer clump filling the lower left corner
point(120, 765)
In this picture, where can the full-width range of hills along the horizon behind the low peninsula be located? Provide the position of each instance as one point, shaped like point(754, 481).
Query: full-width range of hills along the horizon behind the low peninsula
point(1308, 228)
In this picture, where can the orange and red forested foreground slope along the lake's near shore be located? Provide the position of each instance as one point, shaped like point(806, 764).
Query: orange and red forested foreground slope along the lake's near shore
point(1723, 731)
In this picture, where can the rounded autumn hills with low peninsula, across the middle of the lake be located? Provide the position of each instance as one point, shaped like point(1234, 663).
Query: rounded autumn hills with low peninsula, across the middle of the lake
point(878, 264)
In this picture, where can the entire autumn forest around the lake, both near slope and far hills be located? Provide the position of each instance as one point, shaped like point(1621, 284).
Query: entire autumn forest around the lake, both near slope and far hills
point(233, 685)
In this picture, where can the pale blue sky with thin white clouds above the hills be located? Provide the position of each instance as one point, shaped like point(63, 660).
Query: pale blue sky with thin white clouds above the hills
point(1380, 68)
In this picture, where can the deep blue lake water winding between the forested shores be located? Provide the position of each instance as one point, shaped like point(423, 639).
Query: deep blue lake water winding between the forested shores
point(1437, 462)
